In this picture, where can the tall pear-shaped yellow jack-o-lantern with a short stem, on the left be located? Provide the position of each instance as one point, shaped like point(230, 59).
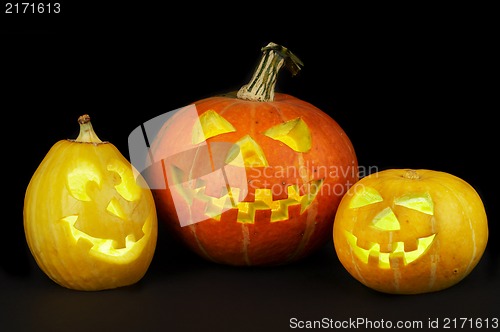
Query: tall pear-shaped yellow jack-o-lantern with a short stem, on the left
point(89, 221)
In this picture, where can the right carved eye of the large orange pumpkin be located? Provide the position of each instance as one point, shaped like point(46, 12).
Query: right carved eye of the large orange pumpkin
point(294, 133)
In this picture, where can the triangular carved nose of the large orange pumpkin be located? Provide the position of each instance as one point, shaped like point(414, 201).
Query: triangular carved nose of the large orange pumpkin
point(246, 153)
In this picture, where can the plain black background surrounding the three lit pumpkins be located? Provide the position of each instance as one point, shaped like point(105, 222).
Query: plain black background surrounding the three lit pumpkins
point(412, 87)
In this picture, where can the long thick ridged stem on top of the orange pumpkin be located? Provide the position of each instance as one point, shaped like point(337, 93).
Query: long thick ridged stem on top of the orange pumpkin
point(261, 86)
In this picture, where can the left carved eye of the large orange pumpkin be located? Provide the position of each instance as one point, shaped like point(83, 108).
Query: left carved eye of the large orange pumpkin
point(210, 124)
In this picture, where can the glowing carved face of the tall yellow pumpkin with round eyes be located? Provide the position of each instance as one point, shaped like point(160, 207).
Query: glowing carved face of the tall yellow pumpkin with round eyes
point(112, 197)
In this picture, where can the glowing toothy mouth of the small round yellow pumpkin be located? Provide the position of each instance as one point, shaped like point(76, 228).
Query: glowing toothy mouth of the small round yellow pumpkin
point(385, 259)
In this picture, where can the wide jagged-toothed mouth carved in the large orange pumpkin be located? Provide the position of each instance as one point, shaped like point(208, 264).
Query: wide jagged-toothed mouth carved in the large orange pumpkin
point(214, 207)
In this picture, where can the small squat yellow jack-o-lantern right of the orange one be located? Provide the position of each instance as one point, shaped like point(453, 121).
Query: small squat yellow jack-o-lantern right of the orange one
point(407, 231)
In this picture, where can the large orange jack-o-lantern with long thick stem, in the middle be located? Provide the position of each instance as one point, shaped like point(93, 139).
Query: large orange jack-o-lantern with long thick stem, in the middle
point(282, 164)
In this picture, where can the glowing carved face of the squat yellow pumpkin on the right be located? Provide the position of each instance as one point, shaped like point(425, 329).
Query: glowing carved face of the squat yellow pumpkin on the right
point(403, 223)
